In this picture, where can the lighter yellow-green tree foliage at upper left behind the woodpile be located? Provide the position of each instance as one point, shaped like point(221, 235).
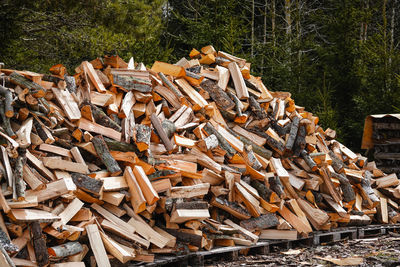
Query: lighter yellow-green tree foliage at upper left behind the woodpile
point(42, 33)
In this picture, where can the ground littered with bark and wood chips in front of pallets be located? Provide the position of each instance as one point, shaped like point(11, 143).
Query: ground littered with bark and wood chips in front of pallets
point(379, 251)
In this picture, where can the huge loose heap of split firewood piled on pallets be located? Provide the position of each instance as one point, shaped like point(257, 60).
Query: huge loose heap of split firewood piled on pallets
point(120, 162)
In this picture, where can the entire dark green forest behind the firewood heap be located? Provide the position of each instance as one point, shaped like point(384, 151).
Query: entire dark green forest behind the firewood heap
point(339, 58)
